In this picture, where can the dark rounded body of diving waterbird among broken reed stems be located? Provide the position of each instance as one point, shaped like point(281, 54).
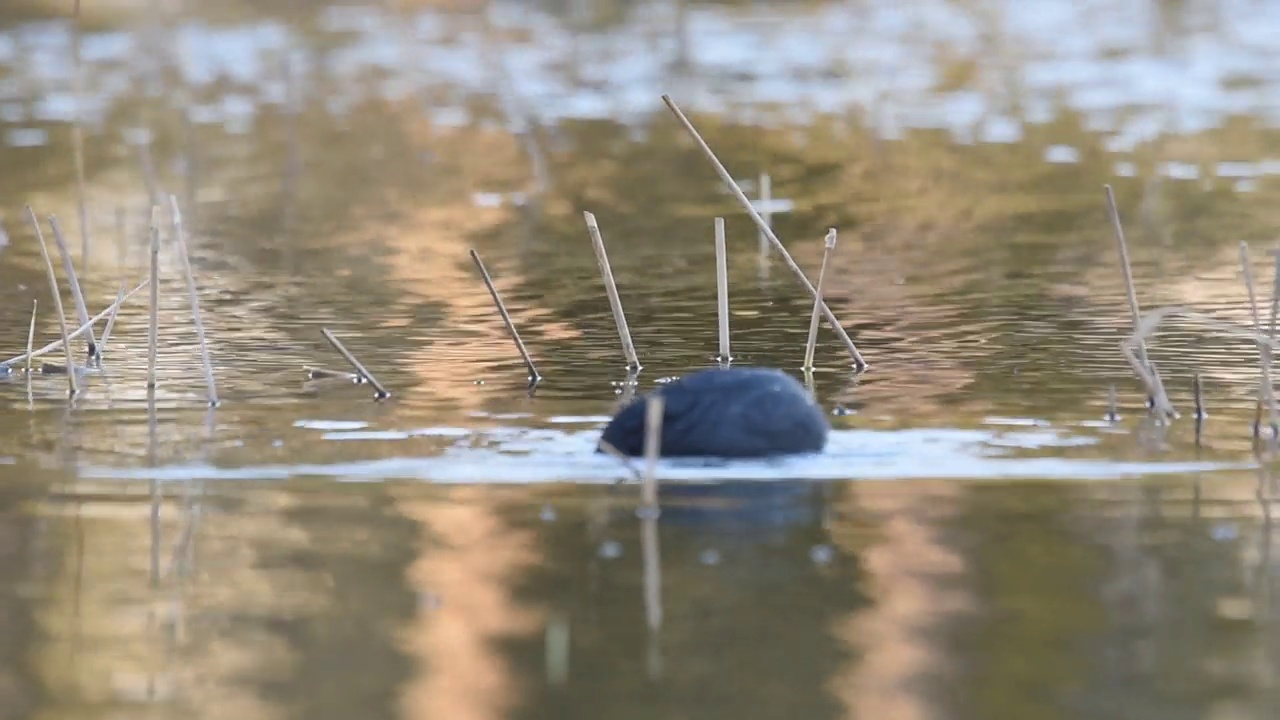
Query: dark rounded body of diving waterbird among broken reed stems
point(728, 413)
